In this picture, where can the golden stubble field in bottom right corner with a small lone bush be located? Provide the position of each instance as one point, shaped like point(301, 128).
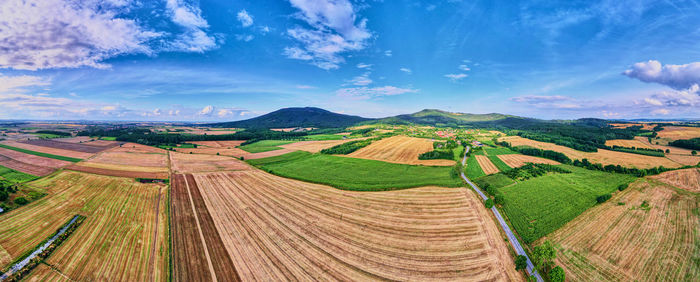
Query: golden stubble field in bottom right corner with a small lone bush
point(612, 242)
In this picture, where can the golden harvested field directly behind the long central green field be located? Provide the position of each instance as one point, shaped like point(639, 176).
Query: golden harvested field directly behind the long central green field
point(399, 149)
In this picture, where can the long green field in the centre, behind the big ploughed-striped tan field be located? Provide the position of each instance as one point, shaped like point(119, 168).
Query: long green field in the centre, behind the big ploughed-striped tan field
point(356, 174)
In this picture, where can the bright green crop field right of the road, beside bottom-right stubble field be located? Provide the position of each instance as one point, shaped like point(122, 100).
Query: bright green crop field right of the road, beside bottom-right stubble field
point(541, 205)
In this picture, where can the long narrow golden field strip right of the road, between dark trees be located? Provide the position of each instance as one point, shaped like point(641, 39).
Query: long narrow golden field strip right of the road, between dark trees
point(604, 157)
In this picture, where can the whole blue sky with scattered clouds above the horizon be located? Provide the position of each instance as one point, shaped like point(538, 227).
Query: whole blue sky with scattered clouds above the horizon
point(221, 60)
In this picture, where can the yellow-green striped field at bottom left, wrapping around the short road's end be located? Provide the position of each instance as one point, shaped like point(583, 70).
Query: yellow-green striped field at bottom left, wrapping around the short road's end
point(125, 235)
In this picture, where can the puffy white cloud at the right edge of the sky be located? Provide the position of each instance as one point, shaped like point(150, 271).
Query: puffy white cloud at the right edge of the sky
point(675, 76)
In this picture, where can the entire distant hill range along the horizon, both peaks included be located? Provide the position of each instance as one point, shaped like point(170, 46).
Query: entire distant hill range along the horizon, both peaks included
point(320, 118)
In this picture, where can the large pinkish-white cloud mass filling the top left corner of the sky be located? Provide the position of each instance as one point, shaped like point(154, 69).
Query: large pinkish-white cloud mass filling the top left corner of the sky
point(71, 33)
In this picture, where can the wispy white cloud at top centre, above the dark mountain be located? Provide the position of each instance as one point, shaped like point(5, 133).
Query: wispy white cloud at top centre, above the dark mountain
point(335, 29)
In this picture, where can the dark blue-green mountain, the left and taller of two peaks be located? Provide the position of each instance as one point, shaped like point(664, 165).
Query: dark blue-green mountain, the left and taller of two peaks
point(296, 117)
